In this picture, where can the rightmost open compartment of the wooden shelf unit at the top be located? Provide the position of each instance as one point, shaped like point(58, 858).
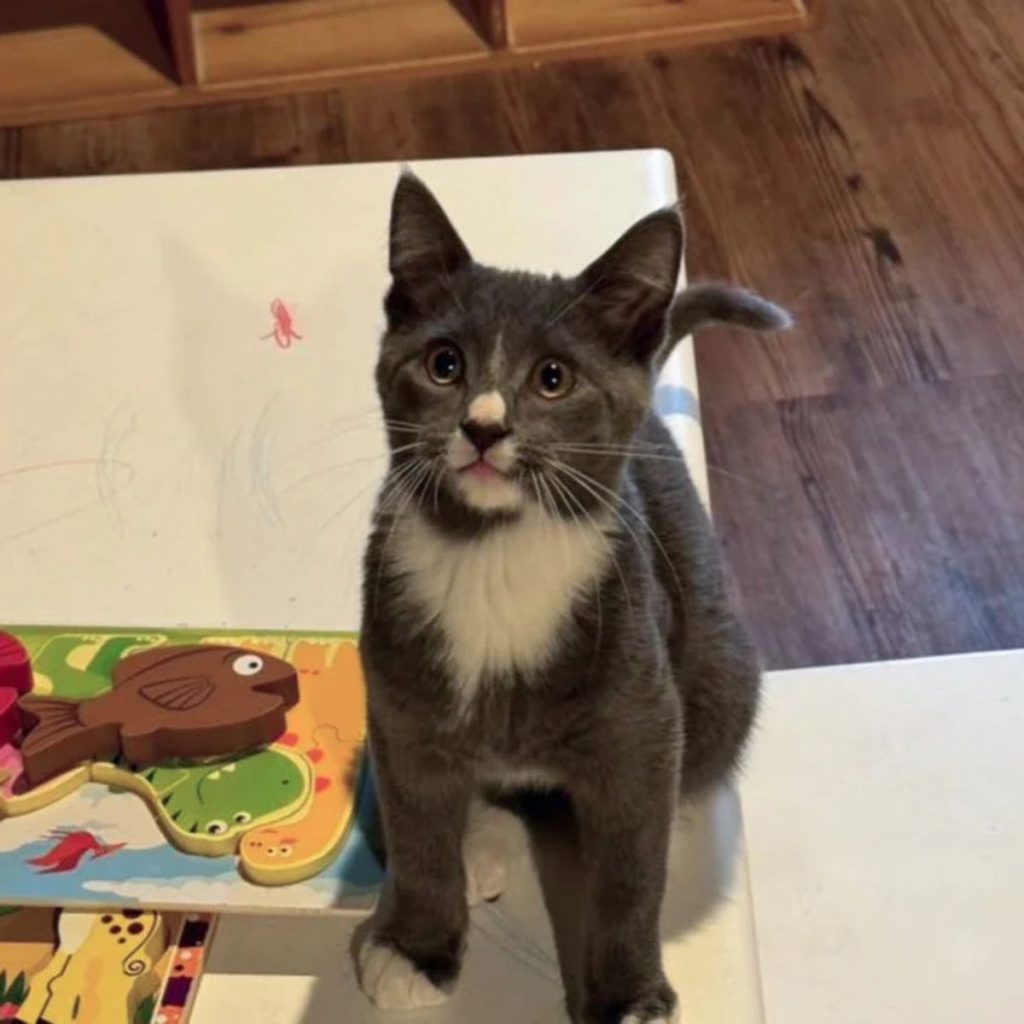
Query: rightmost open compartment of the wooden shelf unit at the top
point(568, 25)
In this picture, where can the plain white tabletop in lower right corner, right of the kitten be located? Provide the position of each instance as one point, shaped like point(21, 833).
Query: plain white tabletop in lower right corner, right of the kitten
point(884, 807)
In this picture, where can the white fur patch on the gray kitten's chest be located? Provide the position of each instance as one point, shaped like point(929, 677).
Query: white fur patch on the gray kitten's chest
point(501, 600)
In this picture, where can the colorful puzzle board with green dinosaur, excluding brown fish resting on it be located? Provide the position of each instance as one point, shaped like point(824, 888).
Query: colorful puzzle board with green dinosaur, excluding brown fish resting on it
point(288, 826)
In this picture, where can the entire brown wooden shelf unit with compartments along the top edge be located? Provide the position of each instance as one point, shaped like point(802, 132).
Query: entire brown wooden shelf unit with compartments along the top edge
point(63, 59)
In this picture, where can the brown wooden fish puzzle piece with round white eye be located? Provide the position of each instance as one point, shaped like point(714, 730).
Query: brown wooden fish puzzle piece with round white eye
point(193, 701)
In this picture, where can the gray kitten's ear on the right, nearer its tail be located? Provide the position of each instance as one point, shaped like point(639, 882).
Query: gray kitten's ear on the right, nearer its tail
point(631, 287)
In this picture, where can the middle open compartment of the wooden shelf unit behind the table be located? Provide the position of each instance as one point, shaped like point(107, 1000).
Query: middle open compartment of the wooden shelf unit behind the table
point(300, 38)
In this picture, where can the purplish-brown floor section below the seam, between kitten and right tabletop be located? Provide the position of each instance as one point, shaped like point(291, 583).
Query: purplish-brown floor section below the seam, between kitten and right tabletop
point(876, 525)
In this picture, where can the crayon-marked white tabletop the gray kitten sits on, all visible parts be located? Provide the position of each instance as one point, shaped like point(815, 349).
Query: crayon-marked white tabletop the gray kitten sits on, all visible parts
point(164, 462)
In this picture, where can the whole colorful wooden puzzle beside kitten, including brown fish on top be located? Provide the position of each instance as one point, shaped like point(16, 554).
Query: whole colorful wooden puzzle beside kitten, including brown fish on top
point(184, 770)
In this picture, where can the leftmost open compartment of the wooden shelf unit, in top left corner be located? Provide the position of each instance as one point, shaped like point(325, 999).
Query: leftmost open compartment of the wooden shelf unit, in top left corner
point(79, 56)
